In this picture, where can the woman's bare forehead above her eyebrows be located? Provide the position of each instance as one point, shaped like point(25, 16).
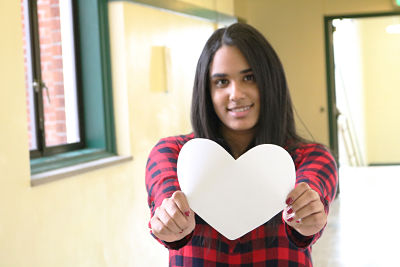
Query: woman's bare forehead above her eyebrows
point(228, 59)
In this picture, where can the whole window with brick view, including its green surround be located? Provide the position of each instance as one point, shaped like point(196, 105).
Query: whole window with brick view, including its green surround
point(68, 82)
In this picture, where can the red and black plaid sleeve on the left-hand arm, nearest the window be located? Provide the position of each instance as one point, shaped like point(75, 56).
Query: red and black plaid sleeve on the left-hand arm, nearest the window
point(161, 178)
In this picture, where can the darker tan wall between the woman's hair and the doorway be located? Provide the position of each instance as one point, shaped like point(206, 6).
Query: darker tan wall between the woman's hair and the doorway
point(296, 31)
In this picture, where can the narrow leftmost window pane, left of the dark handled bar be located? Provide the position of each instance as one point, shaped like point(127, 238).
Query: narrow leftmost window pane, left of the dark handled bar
point(30, 110)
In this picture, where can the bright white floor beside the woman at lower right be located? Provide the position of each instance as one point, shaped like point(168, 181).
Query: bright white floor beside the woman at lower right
point(363, 226)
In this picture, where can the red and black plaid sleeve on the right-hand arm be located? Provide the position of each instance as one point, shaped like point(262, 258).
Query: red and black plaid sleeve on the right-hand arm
point(315, 166)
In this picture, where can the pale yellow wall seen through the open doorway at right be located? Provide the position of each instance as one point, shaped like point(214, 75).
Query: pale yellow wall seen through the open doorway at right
point(381, 57)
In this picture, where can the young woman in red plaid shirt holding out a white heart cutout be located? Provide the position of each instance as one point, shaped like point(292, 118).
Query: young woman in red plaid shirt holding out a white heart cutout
point(240, 100)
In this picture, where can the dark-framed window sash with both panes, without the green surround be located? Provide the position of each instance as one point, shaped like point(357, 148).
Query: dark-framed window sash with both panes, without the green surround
point(51, 77)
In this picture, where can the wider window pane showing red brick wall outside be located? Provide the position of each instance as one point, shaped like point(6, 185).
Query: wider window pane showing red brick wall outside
point(57, 57)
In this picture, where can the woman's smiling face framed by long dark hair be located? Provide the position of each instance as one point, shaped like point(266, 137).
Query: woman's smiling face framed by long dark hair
point(234, 91)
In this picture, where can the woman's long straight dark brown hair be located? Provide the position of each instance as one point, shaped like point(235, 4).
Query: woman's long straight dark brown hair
point(276, 122)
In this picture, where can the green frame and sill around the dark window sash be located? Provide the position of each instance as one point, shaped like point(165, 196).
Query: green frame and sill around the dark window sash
point(94, 67)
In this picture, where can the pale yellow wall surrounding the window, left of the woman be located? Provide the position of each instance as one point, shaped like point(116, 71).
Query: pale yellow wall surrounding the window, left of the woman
point(97, 218)
